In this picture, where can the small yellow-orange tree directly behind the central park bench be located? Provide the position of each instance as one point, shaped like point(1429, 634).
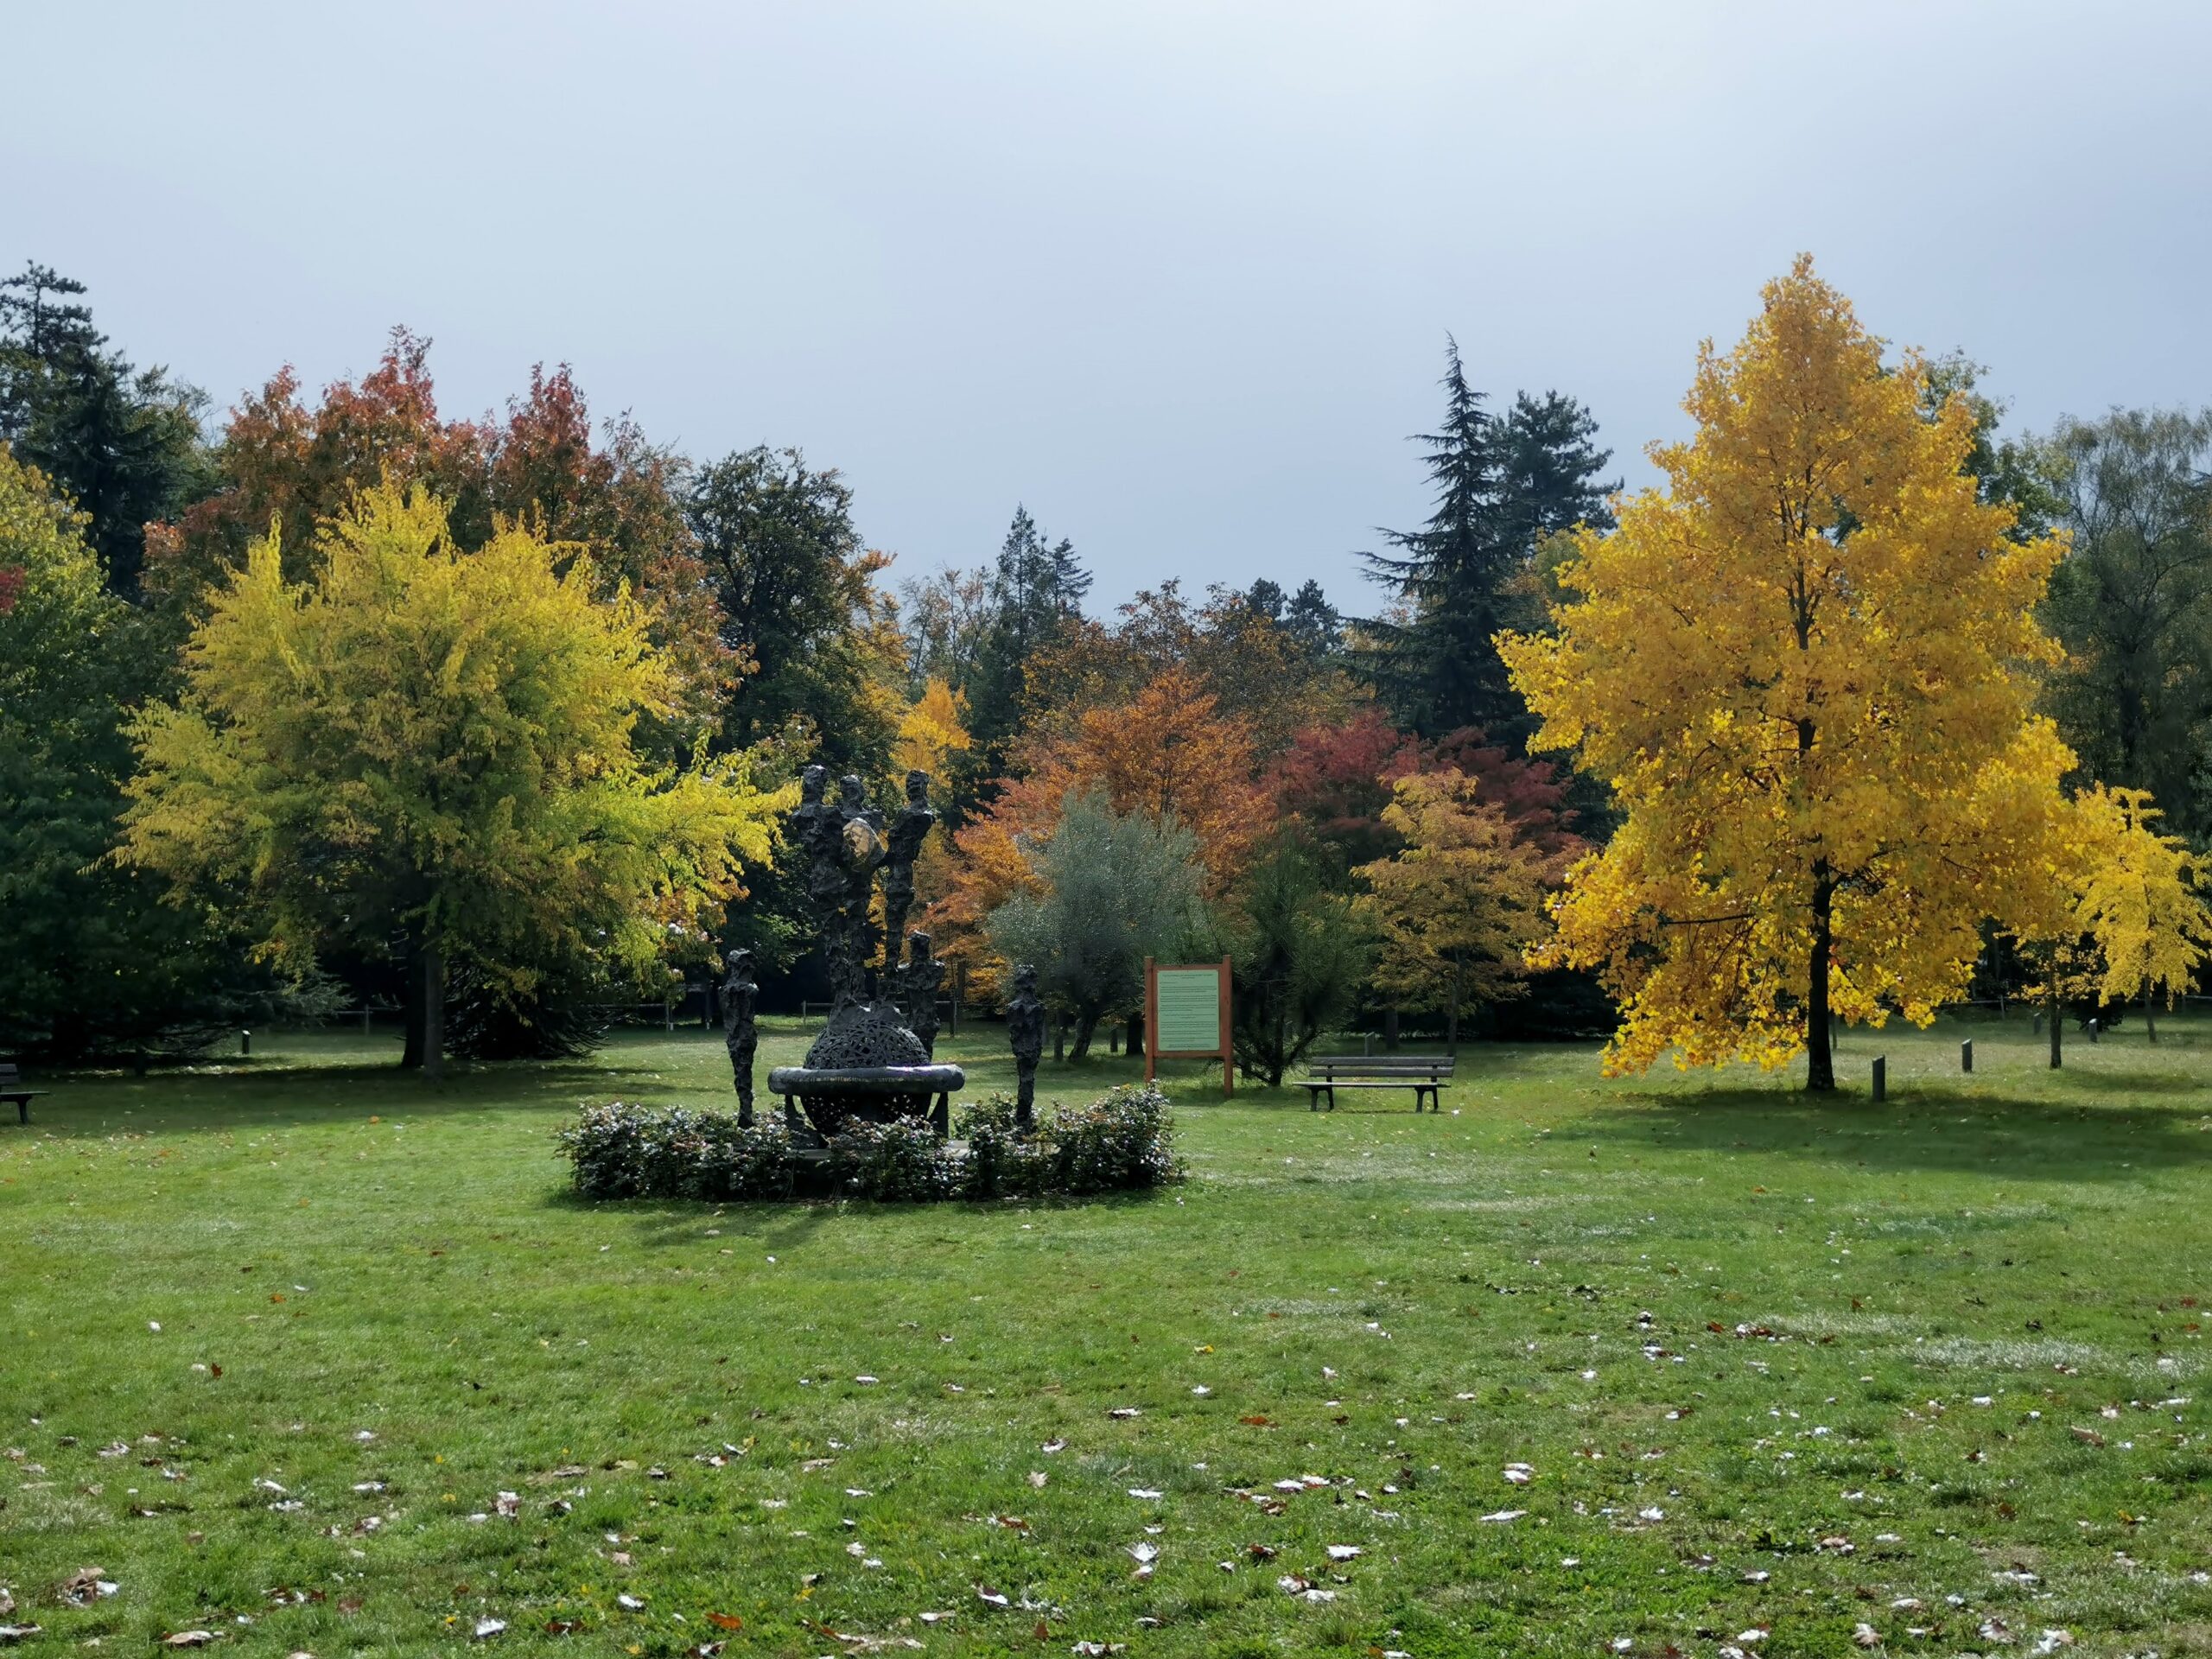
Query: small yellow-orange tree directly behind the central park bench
point(1459, 906)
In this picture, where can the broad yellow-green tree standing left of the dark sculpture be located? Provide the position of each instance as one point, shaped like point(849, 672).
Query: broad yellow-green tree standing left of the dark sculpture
point(435, 744)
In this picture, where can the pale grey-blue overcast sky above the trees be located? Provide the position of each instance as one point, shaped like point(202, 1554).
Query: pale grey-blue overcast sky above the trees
point(1173, 275)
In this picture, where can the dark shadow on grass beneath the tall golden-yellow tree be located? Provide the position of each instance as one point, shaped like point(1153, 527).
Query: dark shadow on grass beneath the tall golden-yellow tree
point(1930, 1131)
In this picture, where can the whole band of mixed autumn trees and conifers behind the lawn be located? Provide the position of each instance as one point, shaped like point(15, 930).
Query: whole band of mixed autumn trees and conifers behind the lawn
point(492, 720)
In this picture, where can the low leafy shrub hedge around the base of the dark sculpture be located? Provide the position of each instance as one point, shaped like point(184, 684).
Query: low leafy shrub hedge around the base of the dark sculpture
point(1118, 1142)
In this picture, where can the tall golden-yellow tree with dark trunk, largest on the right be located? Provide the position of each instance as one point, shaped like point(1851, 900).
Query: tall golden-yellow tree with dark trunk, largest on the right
point(1806, 671)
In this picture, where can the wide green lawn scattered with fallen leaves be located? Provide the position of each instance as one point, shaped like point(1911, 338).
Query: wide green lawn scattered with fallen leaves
point(1939, 1300)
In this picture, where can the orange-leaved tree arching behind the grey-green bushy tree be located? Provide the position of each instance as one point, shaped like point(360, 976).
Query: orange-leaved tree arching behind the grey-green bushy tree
point(1169, 751)
